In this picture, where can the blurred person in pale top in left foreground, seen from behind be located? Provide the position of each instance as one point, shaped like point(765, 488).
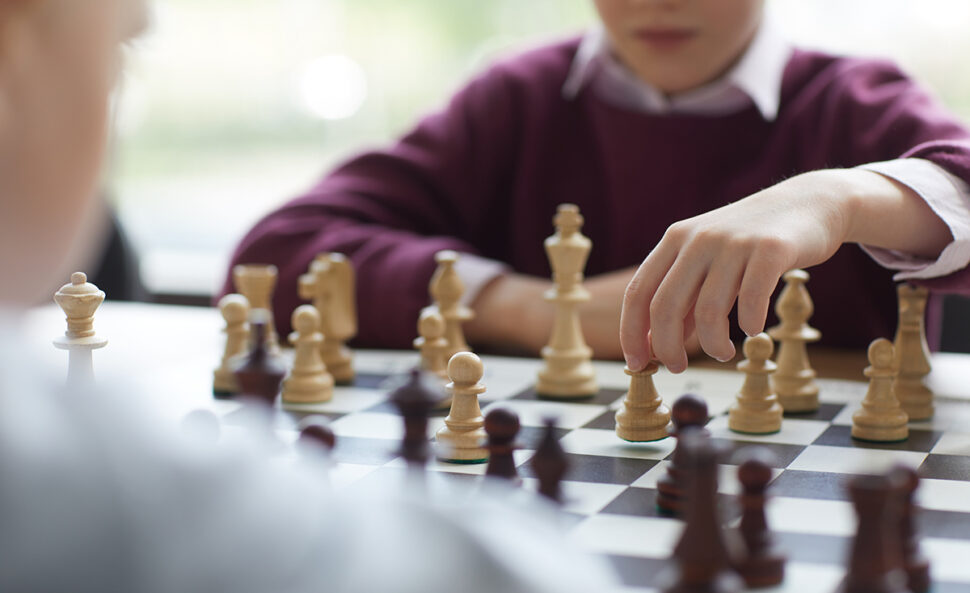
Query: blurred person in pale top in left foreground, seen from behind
point(96, 497)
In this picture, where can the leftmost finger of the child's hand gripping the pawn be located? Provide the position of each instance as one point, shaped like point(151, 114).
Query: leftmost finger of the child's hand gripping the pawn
point(635, 314)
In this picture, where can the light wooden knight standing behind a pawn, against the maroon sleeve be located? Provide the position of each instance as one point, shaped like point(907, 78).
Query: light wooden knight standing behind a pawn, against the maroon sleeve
point(330, 286)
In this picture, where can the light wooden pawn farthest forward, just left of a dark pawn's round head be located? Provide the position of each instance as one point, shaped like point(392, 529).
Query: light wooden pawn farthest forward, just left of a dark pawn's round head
point(460, 440)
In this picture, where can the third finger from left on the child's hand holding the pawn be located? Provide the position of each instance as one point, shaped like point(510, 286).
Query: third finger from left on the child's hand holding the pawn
point(713, 306)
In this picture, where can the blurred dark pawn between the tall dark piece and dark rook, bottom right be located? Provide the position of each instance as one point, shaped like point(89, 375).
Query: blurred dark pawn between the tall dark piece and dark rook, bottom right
point(761, 564)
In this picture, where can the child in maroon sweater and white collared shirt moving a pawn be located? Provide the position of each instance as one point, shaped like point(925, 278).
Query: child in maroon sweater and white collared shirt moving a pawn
point(673, 110)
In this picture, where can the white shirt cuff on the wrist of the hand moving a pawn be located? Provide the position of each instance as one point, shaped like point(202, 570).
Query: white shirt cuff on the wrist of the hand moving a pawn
point(949, 197)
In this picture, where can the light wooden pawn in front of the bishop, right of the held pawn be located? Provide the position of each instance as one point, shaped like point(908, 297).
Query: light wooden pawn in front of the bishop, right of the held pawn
point(756, 409)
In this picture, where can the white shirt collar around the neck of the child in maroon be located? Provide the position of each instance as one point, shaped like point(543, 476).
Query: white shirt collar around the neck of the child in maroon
point(755, 78)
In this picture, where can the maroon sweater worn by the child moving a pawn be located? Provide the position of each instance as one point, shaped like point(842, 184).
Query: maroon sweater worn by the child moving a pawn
point(485, 176)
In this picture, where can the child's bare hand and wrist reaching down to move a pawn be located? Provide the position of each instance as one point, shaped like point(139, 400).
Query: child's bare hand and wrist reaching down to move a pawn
point(702, 265)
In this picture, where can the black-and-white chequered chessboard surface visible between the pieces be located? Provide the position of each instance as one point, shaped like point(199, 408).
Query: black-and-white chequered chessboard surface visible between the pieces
point(610, 489)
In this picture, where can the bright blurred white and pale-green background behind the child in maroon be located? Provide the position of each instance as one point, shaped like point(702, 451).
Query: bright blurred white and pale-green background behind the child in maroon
point(230, 107)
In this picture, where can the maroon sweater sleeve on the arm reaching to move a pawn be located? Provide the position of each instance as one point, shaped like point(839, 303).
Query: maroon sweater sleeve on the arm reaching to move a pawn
point(886, 115)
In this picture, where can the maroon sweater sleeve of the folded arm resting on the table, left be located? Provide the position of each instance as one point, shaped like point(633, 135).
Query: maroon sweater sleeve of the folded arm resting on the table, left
point(391, 210)
